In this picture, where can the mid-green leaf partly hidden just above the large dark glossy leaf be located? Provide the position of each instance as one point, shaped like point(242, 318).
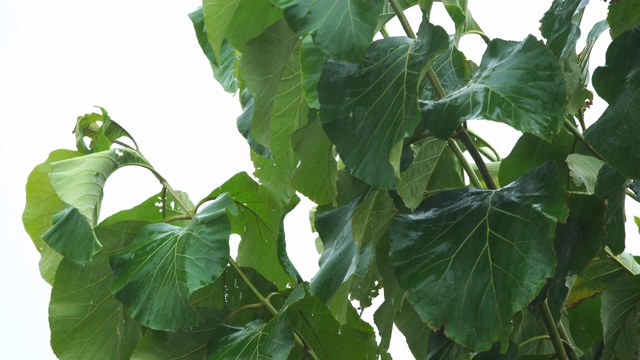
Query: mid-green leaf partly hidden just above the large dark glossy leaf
point(531, 151)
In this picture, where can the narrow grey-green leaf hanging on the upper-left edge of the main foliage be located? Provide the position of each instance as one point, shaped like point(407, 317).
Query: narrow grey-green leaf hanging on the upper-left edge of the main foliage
point(223, 69)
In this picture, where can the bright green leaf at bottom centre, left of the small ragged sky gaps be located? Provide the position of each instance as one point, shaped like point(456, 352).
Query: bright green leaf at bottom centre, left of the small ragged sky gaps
point(330, 340)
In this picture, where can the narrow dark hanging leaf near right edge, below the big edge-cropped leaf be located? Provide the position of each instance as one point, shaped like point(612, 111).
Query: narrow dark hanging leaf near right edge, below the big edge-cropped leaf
point(611, 185)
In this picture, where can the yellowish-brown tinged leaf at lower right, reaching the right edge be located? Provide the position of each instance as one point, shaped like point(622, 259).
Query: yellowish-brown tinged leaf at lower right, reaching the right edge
point(599, 275)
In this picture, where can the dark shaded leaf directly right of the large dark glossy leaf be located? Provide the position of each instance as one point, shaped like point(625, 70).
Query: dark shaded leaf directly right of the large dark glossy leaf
point(580, 239)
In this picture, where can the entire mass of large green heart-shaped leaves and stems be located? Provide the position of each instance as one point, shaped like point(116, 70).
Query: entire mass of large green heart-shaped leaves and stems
point(484, 259)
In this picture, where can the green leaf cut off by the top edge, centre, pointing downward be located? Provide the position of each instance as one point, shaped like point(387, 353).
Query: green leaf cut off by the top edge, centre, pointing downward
point(341, 28)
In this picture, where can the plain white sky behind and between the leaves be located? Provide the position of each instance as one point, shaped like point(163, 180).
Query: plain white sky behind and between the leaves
point(141, 61)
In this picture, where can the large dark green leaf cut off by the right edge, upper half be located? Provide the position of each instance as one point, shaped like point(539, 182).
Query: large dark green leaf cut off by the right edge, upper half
point(614, 135)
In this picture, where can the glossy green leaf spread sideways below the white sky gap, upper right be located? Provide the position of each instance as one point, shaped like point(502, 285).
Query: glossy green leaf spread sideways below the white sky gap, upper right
point(518, 83)
